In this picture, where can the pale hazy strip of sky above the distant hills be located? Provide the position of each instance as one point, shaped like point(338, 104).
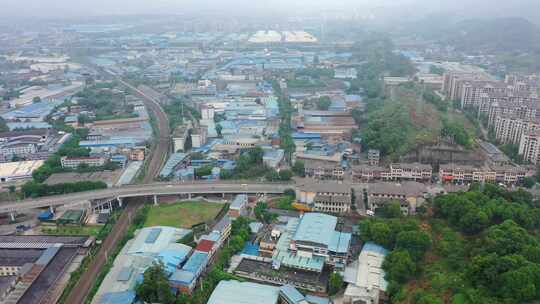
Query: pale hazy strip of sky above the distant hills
point(73, 8)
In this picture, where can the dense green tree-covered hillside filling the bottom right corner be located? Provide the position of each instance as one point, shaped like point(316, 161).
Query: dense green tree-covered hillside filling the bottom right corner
point(481, 246)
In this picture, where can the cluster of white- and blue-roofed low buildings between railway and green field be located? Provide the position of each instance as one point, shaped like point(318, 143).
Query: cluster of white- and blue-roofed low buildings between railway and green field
point(183, 265)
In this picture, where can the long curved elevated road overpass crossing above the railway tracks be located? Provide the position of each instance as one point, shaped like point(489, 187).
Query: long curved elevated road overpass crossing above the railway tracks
point(158, 189)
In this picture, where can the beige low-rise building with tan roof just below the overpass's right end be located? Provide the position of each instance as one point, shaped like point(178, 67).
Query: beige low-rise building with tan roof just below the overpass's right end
point(324, 197)
